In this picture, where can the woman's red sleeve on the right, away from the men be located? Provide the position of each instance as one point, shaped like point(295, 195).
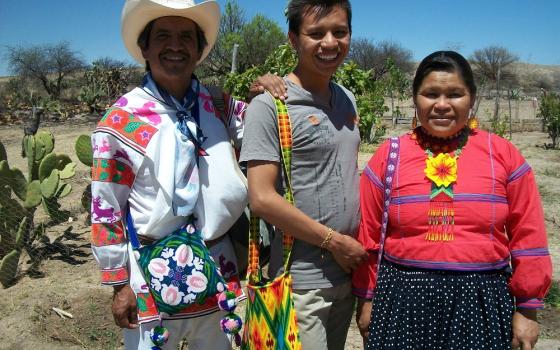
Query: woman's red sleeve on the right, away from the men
point(532, 266)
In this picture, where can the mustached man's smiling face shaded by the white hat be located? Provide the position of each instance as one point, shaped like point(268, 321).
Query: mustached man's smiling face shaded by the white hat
point(172, 53)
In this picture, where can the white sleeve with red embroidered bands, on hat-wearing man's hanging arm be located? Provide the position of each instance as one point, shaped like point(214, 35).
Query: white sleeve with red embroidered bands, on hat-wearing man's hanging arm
point(116, 148)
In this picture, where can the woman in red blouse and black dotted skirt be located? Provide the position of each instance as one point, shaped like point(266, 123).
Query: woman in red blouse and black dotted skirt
point(457, 217)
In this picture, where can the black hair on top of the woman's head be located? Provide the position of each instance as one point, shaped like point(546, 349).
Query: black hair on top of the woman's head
point(446, 61)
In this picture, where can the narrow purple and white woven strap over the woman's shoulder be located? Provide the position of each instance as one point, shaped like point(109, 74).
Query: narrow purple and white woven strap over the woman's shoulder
point(392, 162)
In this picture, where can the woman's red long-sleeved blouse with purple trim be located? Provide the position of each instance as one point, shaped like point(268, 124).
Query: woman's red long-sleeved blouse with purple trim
point(498, 217)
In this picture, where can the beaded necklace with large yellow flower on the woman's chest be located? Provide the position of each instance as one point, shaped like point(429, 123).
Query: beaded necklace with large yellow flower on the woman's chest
point(441, 170)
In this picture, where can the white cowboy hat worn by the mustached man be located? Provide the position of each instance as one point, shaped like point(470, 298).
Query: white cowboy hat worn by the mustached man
point(137, 14)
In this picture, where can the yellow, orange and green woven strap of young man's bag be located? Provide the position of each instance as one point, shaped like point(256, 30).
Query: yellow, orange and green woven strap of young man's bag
point(254, 272)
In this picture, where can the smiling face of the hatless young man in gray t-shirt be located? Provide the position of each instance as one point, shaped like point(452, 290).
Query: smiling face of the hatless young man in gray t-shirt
point(322, 44)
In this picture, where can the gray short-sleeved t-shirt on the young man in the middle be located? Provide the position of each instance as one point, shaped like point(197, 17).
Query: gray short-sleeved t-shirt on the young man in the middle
point(324, 172)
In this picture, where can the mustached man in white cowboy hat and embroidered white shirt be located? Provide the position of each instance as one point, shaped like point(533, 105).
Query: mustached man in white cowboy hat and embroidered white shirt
point(156, 151)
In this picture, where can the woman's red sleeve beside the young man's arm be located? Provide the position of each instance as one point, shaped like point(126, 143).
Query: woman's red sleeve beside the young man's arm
point(371, 205)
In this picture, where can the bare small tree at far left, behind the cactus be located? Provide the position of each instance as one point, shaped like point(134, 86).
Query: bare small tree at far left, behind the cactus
point(49, 64)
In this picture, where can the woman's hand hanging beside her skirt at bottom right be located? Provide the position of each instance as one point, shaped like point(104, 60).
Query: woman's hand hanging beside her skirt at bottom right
point(525, 329)
